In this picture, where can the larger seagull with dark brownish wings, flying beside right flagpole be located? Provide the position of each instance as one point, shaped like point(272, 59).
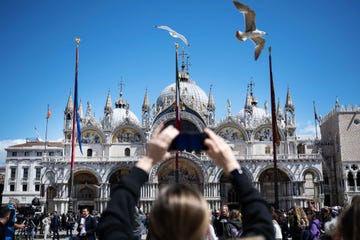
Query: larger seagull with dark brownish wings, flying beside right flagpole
point(250, 31)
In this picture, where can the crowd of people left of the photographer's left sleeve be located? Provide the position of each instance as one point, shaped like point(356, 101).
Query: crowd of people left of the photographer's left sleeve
point(13, 225)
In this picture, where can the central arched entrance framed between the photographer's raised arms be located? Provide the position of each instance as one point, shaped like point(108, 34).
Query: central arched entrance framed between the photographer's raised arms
point(189, 173)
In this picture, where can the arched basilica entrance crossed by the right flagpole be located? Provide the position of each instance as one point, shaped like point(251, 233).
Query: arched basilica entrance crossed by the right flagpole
point(267, 187)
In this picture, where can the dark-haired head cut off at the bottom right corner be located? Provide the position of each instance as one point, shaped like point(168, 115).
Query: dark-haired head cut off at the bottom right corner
point(349, 222)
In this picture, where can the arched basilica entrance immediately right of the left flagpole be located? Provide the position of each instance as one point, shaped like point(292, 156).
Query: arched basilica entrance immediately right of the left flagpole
point(86, 190)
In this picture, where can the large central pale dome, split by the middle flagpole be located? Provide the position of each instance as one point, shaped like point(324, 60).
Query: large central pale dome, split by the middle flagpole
point(191, 94)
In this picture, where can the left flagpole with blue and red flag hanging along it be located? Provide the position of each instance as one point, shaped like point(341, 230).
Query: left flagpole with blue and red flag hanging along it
point(77, 41)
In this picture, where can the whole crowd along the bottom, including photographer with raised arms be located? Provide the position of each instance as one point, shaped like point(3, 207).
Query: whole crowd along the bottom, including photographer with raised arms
point(181, 212)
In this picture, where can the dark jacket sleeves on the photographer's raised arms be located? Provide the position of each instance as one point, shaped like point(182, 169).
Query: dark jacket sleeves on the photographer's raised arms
point(116, 224)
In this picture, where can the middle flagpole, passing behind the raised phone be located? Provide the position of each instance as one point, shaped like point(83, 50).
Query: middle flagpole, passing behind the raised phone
point(177, 110)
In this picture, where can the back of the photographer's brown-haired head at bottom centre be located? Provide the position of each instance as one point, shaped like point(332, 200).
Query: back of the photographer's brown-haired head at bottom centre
point(179, 213)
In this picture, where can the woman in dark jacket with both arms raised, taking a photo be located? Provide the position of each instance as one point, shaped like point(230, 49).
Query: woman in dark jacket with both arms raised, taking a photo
point(180, 212)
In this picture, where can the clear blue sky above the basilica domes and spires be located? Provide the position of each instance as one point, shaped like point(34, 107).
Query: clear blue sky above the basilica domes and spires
point(315, 53)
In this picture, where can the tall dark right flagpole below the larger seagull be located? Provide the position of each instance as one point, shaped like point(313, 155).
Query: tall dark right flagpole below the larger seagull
point(274, 131)
